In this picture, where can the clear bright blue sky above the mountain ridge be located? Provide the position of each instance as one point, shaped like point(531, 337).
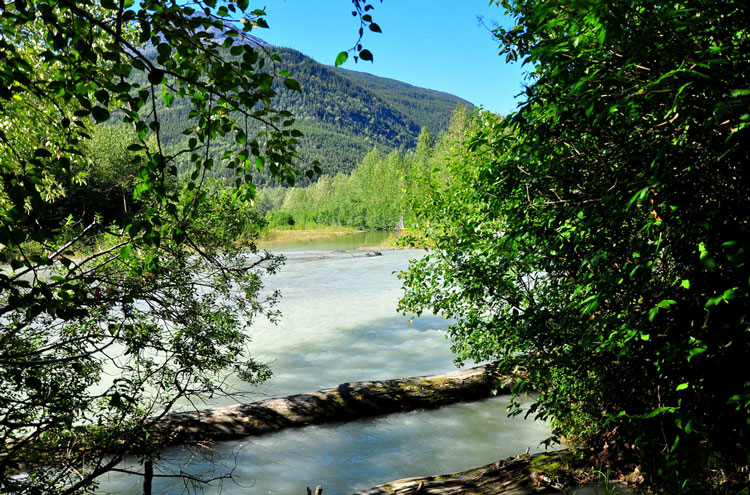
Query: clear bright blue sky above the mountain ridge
point(436, 44)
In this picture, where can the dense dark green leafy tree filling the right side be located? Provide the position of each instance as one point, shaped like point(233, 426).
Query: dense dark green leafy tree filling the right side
point(596, 240)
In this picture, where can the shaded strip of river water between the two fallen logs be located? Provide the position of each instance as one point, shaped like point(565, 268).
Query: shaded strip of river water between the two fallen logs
point(346, 457)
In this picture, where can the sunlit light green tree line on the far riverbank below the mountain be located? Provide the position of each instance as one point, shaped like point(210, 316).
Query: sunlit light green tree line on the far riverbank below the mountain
point(378, 194)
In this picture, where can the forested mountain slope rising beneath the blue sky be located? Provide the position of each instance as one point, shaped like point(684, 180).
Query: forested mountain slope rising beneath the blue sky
point(342, 113)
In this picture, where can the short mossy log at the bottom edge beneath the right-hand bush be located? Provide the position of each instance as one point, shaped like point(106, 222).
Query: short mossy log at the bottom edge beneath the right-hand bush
point(525, 474)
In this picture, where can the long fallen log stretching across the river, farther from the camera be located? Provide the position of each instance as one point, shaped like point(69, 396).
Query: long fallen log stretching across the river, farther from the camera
point(346, 402)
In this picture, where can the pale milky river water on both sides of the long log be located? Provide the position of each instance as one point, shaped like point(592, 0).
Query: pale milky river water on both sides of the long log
point(340, 324)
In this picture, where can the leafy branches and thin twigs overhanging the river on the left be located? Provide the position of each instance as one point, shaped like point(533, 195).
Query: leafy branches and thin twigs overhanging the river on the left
point(109, 317)
